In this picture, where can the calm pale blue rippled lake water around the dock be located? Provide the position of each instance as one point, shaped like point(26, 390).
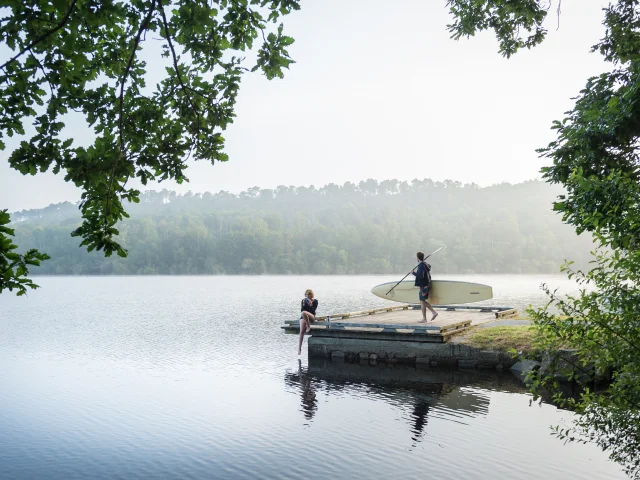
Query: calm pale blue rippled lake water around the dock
point(191, 377)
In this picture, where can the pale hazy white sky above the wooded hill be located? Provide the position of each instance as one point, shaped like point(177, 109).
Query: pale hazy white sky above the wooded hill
point(380, 91)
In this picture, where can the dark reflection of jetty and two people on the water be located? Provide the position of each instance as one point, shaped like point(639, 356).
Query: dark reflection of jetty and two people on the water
point(451, 394)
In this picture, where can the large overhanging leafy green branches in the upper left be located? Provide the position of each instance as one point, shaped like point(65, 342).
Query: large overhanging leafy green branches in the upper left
point(83, 56)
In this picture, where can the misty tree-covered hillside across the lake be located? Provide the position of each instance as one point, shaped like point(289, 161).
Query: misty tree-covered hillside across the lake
point(371, 227)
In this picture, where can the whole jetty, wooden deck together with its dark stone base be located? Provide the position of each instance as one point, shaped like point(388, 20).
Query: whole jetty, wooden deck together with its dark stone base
point(394, 335)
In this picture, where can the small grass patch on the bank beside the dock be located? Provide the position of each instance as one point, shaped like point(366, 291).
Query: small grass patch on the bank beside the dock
point(504, 338)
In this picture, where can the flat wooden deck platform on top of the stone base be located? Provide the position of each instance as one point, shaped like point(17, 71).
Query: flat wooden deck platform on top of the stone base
point(401, 323)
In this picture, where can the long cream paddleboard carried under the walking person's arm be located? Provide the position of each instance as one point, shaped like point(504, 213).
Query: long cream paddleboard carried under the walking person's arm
point(443, 292)
